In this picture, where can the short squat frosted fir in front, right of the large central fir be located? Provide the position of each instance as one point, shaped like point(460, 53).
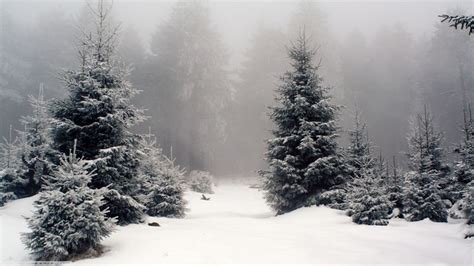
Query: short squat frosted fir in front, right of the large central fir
point(369, 204)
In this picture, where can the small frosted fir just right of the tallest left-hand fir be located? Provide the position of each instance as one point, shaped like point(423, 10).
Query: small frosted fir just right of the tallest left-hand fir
point(164, 194)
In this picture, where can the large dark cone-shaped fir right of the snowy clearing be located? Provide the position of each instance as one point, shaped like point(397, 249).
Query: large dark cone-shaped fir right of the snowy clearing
point(303, 157)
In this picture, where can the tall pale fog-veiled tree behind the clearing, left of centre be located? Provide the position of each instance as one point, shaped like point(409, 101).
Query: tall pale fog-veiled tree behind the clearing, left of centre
point(189, 85)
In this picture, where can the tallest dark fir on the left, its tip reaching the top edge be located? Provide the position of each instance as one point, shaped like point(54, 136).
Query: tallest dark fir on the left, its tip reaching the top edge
point(98, 114)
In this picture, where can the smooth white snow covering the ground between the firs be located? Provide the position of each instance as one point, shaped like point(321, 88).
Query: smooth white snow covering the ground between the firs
point(236, 226)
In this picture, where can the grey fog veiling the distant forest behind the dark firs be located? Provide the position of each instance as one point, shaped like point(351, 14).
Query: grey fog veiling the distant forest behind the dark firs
point(386, 58)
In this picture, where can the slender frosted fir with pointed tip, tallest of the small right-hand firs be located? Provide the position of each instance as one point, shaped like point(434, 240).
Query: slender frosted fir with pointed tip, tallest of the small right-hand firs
point(422, 194)
